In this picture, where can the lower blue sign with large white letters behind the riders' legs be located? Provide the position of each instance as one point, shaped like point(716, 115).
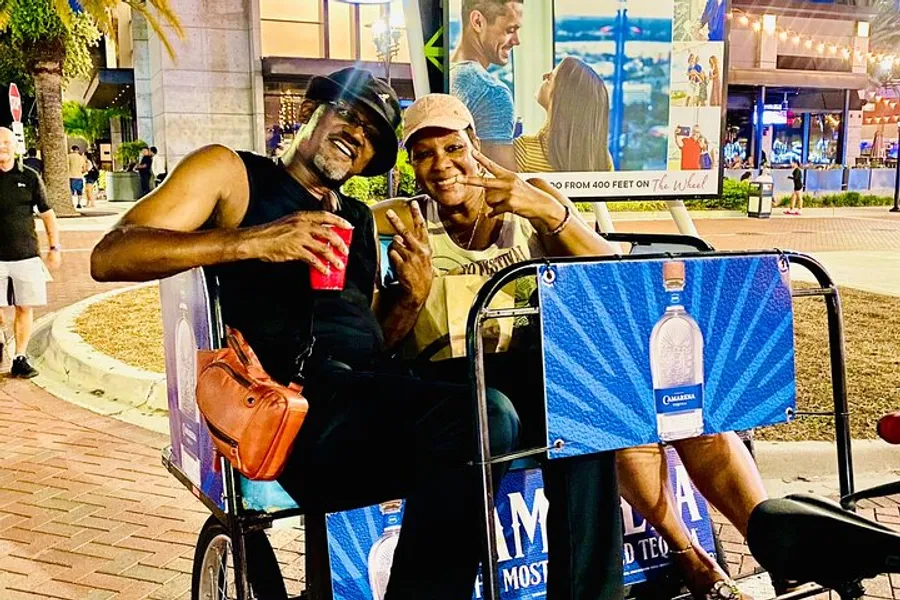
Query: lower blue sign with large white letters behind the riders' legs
point(361, 542)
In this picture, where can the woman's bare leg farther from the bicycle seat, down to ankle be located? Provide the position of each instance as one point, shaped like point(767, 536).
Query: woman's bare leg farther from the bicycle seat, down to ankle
point(644, 483)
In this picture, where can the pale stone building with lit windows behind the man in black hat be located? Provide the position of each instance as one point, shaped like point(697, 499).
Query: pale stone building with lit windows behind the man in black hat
point(239, 73)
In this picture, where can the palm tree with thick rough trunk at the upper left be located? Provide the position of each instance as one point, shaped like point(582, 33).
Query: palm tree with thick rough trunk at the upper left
point(44, 32)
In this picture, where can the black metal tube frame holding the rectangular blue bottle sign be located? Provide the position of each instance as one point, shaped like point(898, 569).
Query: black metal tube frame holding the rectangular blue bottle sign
point(480, 313)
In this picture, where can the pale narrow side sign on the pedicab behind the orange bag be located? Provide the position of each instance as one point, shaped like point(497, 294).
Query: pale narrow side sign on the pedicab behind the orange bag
point(187, 328)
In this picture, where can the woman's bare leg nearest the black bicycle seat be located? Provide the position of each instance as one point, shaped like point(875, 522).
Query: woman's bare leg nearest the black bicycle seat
point(725, 473)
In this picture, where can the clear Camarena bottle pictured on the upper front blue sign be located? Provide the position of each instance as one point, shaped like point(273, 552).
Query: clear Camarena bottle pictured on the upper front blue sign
point(676, 364)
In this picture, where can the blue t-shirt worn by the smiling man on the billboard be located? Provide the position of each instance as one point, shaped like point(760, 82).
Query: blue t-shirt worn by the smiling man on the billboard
point(487, 98)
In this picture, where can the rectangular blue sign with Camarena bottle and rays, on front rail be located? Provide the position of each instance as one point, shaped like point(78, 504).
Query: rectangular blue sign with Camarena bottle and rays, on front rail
point(660, 350)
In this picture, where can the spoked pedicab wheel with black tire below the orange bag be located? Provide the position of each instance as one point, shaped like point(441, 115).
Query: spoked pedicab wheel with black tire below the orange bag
point(213, 572)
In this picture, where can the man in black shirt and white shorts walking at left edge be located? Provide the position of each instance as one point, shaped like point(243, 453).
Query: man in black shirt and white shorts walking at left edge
point(23, 280)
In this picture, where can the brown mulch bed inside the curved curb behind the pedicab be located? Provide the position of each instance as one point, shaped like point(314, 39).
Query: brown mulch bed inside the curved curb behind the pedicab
point(129, 327)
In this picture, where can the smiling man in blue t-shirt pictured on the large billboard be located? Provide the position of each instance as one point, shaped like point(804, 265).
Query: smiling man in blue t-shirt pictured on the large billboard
point(490, 30)
